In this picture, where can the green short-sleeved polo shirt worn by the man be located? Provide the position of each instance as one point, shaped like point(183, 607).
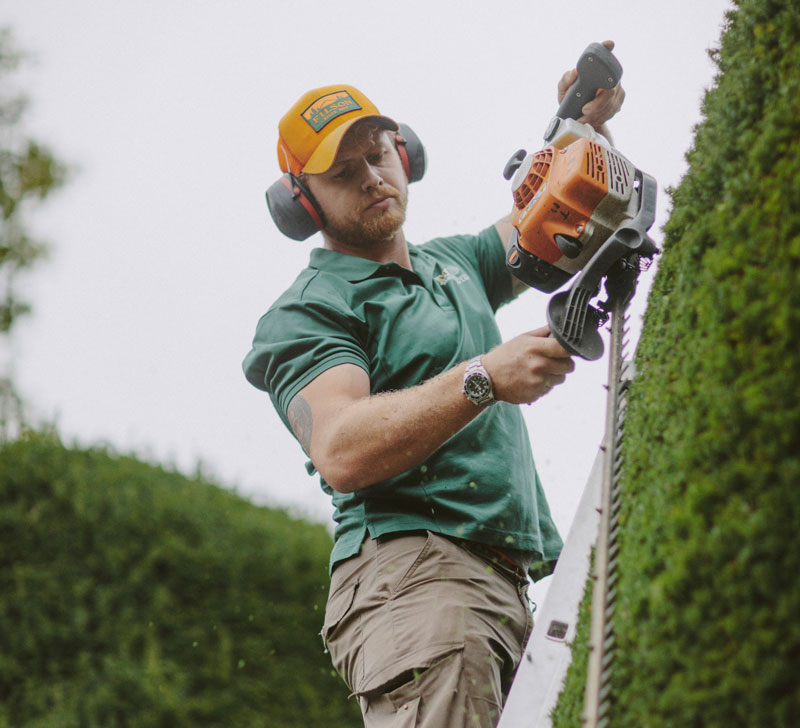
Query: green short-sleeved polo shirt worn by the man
point(403, 327)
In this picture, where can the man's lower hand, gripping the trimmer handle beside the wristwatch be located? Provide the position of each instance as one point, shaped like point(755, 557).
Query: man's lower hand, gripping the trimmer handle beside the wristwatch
point(527, 367)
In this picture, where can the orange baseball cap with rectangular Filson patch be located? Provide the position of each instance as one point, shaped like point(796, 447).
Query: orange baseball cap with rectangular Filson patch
point(309, 134)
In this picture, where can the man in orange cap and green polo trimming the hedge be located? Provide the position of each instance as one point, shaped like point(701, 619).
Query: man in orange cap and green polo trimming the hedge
point(385, 361)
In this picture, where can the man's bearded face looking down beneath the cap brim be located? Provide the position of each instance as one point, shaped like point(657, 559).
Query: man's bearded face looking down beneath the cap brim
point(365, 192)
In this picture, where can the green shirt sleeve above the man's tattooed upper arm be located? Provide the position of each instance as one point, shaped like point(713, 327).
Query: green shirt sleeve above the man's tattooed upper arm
point(295, 342)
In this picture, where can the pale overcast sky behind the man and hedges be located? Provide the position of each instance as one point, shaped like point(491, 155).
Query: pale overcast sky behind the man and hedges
point(163, 254)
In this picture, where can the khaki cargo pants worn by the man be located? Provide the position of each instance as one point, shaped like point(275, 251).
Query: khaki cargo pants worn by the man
point(426, 633)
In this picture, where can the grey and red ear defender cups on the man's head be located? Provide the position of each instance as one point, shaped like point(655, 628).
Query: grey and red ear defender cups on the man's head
point(296, 212)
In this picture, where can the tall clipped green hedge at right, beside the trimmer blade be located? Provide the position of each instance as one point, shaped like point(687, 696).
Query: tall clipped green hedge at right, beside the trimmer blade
point(708, 600)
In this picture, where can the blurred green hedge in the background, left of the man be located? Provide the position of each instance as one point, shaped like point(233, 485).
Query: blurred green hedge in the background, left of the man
point(132, 596)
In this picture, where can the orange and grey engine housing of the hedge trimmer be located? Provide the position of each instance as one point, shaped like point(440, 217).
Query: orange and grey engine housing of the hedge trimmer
point(580, 193)
